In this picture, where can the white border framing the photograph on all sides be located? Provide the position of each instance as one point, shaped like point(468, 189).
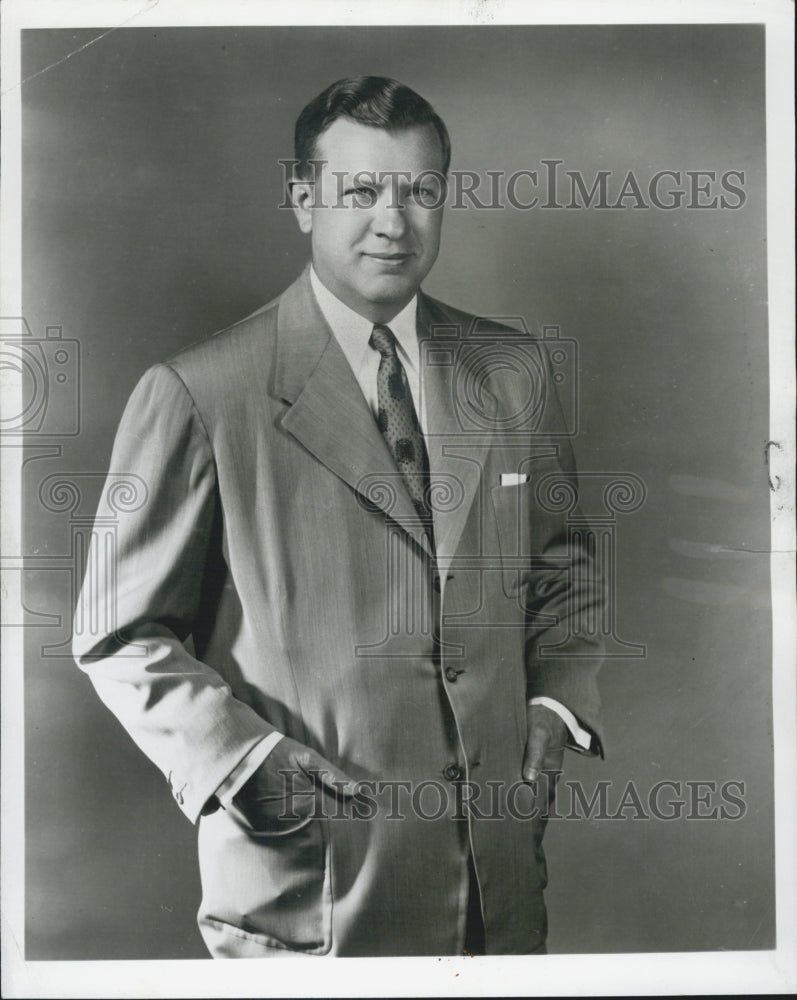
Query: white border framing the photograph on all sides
point(554, 975)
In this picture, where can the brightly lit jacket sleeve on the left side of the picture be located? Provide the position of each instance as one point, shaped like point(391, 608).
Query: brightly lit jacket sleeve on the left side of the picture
point(142, 600)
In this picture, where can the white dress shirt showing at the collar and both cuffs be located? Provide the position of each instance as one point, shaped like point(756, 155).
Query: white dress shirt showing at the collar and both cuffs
point(353, 333)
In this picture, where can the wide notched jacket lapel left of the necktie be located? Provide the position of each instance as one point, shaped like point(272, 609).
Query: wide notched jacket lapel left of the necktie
point(329, 414)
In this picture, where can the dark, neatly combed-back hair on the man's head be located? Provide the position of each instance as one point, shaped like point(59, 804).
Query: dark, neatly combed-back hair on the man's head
point(370, 100)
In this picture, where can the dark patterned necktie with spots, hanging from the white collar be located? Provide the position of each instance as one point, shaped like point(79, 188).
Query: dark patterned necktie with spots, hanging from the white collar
point(398, 422)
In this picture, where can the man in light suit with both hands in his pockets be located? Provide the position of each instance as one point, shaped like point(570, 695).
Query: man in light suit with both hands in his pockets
point(343, 624)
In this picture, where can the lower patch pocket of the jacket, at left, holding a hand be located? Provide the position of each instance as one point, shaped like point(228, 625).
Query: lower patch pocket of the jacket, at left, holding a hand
point(272, 890)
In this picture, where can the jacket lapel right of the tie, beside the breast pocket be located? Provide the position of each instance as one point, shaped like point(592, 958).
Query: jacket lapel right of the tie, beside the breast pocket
point(456, 454)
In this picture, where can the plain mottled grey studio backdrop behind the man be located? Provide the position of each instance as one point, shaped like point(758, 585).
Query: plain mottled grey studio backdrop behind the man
point(151, 187)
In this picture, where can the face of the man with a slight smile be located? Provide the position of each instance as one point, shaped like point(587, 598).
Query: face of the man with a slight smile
point(374, 235)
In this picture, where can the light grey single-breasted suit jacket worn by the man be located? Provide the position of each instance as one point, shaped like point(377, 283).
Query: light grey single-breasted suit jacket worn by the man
point(277, 577)
